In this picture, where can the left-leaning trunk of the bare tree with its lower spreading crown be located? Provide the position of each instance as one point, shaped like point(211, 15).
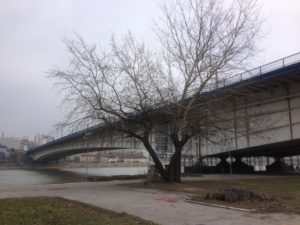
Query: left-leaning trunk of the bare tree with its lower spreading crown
point(115, 86)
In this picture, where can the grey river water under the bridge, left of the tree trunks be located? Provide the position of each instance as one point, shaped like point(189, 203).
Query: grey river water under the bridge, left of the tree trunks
point(18, 177)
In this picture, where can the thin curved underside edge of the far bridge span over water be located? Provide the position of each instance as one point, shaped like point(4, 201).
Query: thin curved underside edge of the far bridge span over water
point(64, 153)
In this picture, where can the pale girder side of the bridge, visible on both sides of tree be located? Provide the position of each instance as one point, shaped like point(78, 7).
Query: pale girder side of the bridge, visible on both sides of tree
point(268, 115)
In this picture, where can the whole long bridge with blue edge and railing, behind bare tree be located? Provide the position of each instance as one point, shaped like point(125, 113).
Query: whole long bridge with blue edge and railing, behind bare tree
point(263, 108)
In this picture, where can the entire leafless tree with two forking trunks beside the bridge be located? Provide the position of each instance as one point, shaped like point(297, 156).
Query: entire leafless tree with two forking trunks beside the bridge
point(132, 88)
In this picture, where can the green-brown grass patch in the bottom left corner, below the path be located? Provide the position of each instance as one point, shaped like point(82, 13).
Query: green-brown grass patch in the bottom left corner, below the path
point(58, 211)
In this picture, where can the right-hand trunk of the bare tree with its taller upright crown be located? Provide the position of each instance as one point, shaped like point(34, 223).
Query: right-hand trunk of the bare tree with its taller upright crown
point(203, 42)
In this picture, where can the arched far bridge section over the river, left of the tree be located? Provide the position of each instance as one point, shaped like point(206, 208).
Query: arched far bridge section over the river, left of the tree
point(96, 138)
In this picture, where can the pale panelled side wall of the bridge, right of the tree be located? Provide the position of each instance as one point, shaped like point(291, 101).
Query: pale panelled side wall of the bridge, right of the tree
point(267, 117)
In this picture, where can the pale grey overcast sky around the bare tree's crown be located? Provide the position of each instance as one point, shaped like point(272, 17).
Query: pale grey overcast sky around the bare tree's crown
point(31, 34)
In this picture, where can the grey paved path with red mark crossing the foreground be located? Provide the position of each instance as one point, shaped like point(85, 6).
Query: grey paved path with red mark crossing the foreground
point(163, 208)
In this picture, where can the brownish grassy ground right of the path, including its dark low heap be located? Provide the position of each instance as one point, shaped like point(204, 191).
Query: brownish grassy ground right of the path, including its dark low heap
point(269, 193)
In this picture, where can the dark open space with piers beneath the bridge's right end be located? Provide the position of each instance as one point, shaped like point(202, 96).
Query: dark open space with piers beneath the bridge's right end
point(271, 158)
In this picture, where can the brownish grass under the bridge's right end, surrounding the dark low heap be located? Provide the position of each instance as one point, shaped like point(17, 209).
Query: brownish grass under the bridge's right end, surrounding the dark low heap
point(283, 193)
